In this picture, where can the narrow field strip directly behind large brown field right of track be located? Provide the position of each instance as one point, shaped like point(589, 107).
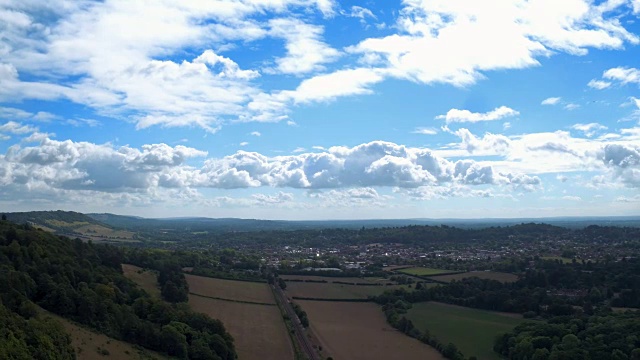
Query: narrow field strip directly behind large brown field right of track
point(335, 291)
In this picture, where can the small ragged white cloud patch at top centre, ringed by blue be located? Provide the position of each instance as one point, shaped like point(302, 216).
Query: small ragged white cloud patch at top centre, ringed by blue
point(306, 52)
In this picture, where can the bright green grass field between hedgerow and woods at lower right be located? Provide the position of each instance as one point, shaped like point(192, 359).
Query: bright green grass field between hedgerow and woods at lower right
point(472, 331)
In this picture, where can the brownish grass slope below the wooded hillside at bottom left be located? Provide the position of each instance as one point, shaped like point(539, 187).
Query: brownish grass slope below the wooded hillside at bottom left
point(87, 343)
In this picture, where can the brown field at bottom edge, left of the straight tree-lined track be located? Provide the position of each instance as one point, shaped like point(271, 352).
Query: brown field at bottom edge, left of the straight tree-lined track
point(259, 330)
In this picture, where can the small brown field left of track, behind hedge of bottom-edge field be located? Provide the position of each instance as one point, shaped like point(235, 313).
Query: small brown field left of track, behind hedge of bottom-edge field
point(230, 289)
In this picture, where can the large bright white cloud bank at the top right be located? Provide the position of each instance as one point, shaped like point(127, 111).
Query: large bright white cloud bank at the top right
point(456, 42)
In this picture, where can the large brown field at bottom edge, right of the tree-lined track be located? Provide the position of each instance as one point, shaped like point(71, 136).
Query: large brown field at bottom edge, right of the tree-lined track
point(354, 331)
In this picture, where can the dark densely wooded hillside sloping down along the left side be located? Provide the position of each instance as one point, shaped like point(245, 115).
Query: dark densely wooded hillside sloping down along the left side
point(84, 282)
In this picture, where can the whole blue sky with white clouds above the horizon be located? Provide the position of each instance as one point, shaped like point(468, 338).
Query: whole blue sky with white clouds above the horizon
point(321, 109)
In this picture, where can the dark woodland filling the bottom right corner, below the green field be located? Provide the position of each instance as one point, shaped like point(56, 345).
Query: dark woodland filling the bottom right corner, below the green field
point(606, 336)
